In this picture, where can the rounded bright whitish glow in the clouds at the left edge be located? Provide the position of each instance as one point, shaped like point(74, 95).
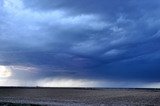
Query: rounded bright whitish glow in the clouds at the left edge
point(5, 72)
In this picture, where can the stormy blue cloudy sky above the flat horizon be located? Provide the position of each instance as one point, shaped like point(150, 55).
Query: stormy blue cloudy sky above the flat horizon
point(85, 43)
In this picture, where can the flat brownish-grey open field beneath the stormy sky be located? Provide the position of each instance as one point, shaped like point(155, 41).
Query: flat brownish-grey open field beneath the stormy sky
point(14, 96)
